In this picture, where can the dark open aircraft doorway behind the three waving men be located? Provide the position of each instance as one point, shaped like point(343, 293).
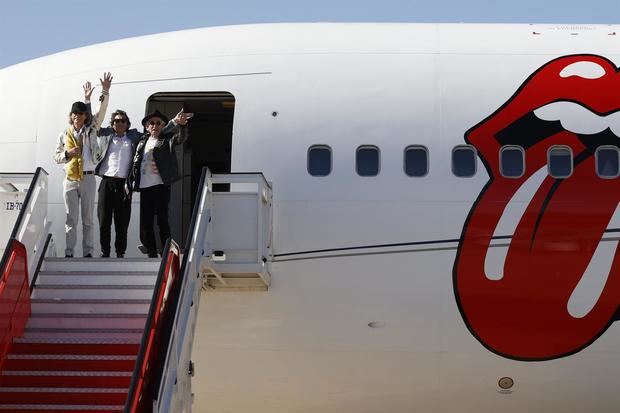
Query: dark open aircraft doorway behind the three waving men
point(209, 144)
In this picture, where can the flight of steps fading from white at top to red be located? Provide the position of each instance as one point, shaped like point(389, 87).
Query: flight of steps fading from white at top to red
point(79, 347)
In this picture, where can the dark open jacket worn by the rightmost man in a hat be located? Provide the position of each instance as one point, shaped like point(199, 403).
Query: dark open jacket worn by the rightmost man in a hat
point(164, 155)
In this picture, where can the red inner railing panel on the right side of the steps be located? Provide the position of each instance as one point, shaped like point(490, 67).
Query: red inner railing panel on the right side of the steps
point(161, 310)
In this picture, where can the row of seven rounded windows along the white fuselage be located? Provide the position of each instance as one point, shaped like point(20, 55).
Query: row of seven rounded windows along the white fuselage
point(511, 161)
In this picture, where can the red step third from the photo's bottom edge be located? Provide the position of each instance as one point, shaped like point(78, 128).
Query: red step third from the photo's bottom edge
point(73, 379)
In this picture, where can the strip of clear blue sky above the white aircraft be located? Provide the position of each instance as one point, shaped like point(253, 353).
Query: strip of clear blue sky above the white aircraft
point(34, 28)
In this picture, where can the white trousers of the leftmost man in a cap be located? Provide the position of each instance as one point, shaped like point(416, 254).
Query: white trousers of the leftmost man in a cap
point(80, 195)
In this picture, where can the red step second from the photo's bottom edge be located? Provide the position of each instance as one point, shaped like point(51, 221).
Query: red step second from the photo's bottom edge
point(60, 395)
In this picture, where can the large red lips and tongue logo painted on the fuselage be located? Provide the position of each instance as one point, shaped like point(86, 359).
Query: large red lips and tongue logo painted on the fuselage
point(551, 285)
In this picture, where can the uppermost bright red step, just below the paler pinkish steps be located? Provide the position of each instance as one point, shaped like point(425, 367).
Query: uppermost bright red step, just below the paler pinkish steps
point(75, 348)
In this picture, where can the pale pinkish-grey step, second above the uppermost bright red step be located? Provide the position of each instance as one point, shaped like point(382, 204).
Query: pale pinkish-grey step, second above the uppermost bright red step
point(87, 321)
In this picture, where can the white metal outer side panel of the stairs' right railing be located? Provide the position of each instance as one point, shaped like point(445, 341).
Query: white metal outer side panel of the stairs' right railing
point(173, 382)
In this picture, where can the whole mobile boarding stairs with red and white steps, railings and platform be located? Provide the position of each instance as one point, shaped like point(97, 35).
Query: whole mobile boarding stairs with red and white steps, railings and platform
point(115, 335)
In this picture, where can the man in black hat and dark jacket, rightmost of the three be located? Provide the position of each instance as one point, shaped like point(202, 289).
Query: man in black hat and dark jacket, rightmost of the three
point(154, 169)
